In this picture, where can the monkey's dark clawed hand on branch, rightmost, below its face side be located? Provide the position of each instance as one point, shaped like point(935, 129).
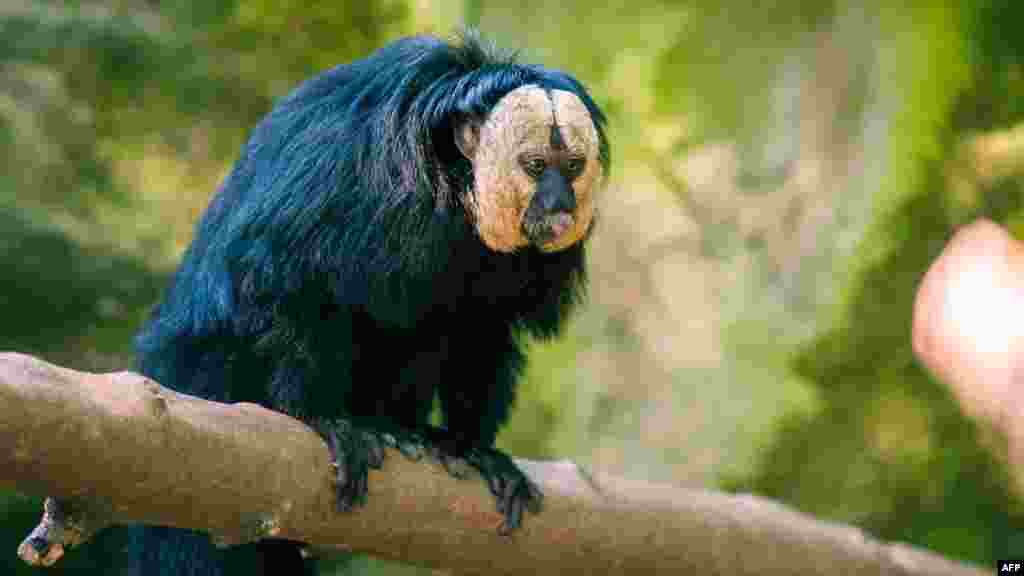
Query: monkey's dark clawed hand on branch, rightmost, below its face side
point(510, 486)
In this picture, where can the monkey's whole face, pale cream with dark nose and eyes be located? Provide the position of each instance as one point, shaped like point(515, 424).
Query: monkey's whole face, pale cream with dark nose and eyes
point(536, 171)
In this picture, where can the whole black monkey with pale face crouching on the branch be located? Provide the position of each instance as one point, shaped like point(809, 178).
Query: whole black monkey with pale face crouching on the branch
point(391, 232)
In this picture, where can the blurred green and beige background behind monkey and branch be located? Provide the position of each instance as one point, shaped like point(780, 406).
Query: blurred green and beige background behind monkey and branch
point(785, 173)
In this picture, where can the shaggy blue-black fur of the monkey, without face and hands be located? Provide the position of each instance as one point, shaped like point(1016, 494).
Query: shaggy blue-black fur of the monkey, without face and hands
point(337, 273)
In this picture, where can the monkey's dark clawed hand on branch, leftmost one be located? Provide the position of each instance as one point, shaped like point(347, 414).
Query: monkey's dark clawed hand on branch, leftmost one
point(354, 452)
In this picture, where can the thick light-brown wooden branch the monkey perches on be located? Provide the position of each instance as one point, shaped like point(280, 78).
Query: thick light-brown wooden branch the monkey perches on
point(119, 448)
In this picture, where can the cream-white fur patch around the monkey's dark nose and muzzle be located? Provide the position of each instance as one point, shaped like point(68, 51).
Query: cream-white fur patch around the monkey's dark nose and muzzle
point(520, 127)
